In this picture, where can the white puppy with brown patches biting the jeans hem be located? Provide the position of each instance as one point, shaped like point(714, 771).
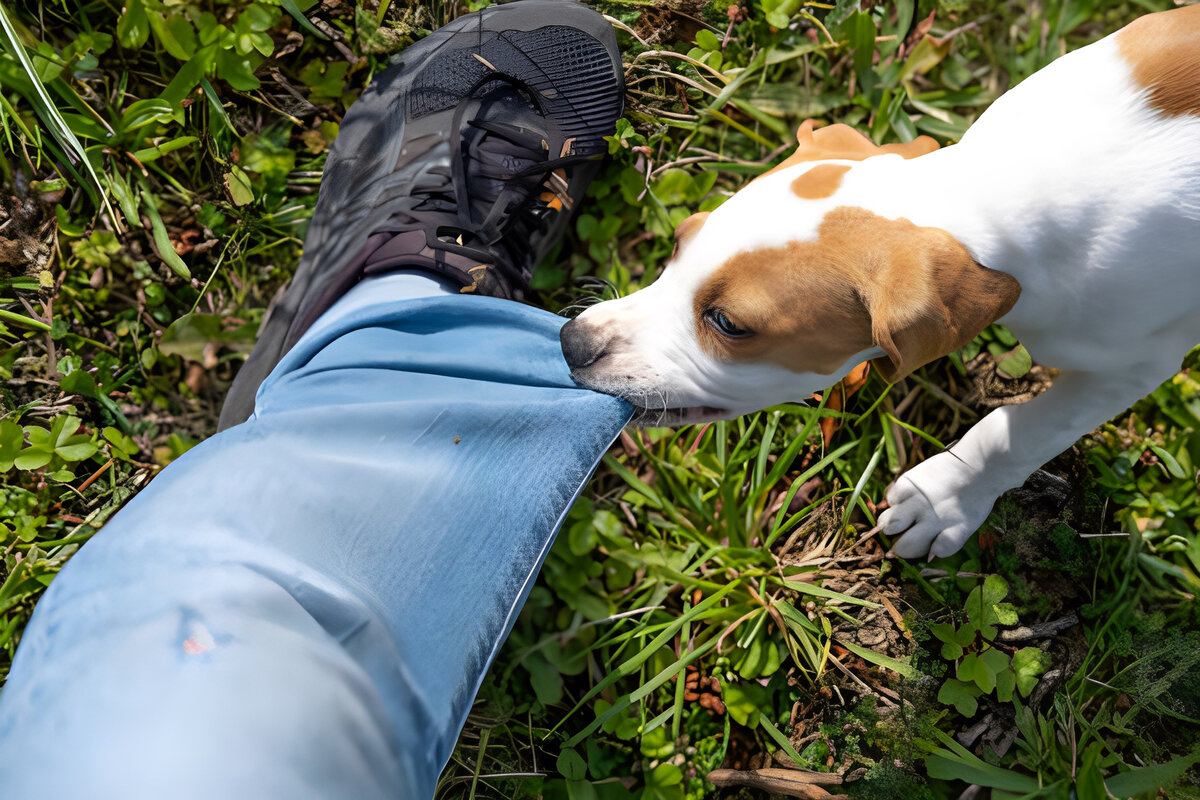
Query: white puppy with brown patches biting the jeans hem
point(1070, 212)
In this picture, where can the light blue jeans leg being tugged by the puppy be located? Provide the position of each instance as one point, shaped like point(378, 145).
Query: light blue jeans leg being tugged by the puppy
point(304, 606)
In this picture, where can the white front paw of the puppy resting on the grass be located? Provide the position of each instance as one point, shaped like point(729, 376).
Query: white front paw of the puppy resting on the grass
point(935, 508)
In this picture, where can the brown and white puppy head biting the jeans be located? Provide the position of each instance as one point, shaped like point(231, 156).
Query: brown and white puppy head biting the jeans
point(784, 290)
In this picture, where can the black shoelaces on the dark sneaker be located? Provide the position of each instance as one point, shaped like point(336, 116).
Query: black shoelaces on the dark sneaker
point(445, 207)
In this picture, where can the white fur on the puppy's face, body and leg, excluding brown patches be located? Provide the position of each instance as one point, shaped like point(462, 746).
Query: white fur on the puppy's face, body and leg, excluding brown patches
point(1071, 184)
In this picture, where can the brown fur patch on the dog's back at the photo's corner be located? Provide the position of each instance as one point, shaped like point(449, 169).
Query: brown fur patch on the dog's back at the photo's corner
point(1165, 53)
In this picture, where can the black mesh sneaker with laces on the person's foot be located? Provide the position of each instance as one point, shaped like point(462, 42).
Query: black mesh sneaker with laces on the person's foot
point(465, 158)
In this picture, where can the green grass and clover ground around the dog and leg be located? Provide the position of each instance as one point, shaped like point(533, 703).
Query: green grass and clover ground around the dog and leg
point(716, 599)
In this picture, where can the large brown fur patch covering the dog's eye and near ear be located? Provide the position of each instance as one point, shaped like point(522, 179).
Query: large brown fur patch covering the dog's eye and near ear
point(866, 281)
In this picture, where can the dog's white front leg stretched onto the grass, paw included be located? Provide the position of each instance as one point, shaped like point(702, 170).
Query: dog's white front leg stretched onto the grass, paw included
point(940, 503)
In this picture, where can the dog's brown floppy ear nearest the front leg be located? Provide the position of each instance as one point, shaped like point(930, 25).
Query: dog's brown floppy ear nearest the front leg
point(931, 298)
